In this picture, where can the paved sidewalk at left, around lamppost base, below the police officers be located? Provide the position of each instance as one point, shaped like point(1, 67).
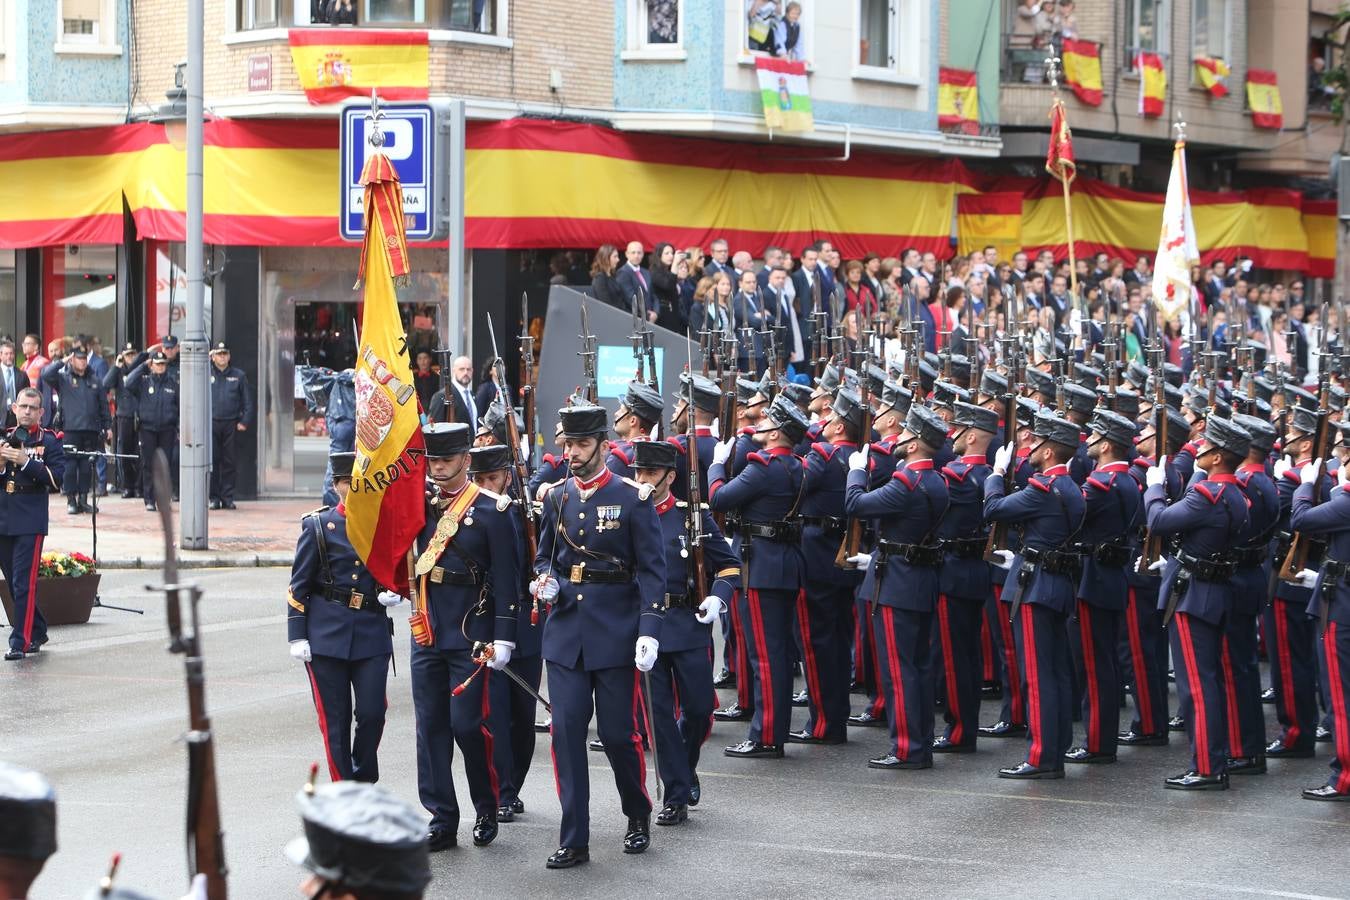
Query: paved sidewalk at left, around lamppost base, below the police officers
point(257, 534)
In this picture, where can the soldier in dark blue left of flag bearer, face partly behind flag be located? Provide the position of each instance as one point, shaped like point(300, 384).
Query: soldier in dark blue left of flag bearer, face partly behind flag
point(338, 627)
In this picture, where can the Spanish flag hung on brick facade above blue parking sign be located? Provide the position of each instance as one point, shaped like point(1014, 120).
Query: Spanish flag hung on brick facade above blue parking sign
point(335, 64)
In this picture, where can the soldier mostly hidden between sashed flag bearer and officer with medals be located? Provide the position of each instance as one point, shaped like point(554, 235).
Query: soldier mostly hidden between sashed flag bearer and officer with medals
point(512, 720)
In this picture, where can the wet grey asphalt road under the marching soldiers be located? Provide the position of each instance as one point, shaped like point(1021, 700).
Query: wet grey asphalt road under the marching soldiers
point(102, 714)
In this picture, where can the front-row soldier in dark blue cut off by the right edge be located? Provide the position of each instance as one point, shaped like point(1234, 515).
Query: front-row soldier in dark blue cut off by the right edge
point(1330, 607)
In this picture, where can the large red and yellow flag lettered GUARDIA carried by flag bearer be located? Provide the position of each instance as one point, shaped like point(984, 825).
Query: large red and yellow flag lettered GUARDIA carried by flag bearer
point(385, 507)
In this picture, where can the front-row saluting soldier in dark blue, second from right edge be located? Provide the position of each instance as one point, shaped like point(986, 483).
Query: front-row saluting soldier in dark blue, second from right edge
point(1197, 592)
